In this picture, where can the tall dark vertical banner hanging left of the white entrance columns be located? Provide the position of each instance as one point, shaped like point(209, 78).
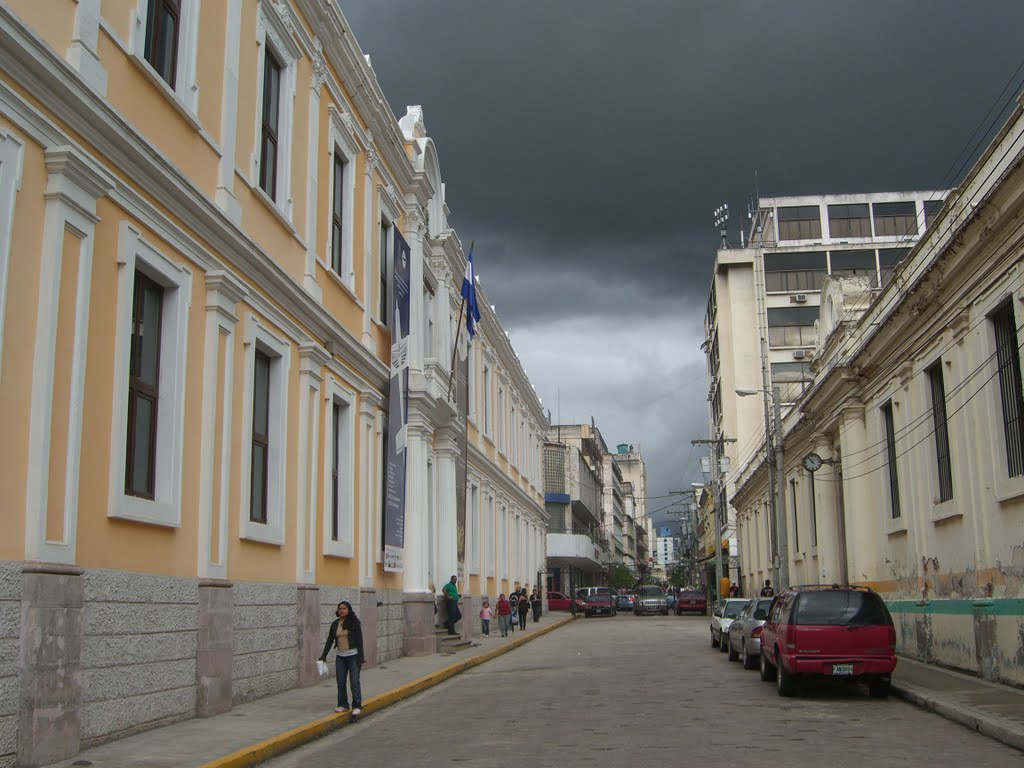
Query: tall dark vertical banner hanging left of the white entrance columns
point(395, 507)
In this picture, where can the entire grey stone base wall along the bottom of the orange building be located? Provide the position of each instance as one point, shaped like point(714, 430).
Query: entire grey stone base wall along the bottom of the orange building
point(141, 651)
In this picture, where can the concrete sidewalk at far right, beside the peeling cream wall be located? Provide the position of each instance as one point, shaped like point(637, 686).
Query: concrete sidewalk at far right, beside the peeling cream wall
point(997, 711)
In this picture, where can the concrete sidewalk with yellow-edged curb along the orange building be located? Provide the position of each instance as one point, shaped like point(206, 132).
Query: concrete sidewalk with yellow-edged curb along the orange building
point(253, 733)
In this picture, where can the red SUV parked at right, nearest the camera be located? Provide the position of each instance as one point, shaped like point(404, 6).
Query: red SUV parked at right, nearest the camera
point(833, 631)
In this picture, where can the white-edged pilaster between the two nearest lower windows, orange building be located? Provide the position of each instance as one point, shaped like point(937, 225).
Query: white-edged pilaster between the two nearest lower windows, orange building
point(223, 294)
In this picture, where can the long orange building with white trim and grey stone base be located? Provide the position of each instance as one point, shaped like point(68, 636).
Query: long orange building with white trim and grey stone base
point(205, 209)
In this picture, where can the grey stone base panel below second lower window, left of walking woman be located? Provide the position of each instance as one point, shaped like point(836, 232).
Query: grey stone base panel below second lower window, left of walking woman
point(266, 641)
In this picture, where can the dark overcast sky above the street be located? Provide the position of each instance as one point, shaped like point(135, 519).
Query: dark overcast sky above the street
point(585, 145)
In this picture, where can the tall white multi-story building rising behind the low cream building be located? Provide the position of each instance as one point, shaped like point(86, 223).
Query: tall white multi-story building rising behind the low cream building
point(774, 285)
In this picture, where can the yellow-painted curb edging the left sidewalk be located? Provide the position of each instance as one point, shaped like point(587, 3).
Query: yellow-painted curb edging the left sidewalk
point(290, 740)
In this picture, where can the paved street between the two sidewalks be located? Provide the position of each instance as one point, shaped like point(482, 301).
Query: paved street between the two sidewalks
point(634, 692)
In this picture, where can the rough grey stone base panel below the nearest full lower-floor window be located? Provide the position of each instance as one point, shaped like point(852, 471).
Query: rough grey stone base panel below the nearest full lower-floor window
point(139, 653)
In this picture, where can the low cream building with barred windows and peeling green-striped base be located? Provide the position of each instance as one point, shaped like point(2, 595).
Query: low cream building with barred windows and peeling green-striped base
point(905, 459)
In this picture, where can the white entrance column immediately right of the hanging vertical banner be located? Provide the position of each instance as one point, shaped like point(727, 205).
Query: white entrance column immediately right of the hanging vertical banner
point(415, 575)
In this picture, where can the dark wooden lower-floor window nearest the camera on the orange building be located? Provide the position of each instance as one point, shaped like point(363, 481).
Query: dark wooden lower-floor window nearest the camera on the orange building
point(144, 389)
